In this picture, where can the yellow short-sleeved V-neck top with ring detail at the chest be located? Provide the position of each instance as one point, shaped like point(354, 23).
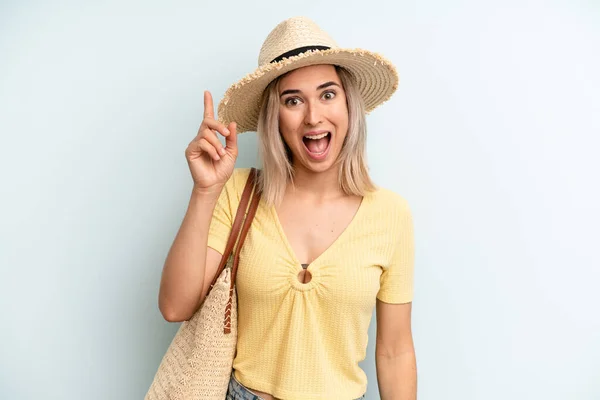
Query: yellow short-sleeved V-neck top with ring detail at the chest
point(305, 340)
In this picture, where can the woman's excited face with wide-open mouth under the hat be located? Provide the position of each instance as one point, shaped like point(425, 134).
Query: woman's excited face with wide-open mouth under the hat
point(313, 116)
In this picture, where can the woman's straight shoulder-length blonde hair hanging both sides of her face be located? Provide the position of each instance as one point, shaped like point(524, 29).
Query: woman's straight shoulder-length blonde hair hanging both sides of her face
point(277, 169)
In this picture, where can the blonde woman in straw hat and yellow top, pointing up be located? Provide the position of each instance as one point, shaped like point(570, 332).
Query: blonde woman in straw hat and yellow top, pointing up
point(326, 246)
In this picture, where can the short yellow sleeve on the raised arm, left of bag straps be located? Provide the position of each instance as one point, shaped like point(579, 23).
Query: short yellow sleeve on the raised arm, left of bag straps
point(225, 209)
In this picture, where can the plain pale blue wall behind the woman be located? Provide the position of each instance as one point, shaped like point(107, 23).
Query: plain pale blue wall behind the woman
point(493, 138)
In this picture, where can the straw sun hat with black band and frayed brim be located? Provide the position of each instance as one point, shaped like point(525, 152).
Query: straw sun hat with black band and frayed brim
point(299, 42)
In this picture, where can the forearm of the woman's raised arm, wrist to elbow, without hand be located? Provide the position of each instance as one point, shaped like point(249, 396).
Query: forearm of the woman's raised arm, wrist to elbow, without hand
point(183, 273)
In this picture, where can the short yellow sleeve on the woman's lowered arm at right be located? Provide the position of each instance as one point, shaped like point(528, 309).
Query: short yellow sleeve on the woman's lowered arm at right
point(397, 278)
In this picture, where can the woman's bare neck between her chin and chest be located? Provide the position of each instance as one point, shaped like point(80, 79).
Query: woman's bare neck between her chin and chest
point(316, 185)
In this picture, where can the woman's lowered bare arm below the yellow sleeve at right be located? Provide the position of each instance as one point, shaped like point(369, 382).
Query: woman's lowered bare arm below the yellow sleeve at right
point(395, 353)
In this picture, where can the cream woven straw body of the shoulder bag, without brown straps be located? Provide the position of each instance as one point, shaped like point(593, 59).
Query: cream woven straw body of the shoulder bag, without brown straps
point(199, 360)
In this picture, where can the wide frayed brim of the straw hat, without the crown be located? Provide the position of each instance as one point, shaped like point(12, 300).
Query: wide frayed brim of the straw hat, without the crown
point(376, 77)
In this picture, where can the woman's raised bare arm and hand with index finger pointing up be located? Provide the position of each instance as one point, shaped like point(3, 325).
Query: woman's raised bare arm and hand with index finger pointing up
point(190, 264)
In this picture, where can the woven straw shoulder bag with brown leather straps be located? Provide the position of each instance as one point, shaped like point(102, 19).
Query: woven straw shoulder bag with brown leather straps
point(198, 362)
